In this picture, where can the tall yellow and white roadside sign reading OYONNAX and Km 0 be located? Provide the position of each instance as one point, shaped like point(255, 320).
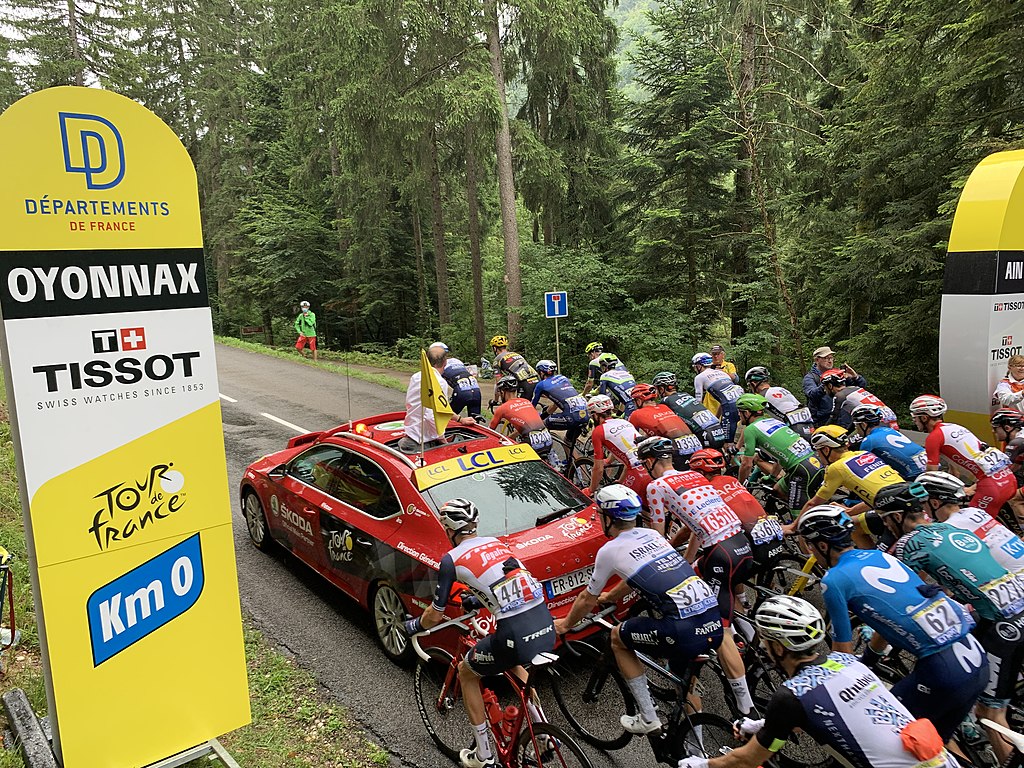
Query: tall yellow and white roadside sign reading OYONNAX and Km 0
point(113, 391)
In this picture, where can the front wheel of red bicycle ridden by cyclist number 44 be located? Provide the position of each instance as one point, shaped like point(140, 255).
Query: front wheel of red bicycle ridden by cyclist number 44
point(440, 701)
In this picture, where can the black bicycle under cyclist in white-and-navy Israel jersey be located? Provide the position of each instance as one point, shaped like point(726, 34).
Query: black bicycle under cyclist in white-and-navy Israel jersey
point(592, 695)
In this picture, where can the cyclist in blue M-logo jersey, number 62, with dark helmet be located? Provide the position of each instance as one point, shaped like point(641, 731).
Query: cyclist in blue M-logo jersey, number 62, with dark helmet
point(952, 668)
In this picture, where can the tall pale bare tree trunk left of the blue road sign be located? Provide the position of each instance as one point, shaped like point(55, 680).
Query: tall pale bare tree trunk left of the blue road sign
point(506, 182)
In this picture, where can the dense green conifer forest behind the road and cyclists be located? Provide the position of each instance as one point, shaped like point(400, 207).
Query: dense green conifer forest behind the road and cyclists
point(769, 175)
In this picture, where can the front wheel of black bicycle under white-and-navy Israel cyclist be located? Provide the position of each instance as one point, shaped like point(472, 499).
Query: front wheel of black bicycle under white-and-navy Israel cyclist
point(591, 694)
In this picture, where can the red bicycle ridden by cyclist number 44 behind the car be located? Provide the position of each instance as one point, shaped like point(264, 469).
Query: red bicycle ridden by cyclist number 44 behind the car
point(519, 741)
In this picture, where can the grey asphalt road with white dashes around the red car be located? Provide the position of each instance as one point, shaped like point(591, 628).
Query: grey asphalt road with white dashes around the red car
point(326, 632)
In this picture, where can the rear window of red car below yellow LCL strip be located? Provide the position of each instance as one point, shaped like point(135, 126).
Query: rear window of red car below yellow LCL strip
point(514, 497)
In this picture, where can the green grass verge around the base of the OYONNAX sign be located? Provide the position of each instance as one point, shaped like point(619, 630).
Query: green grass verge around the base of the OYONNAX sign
point(293, 724)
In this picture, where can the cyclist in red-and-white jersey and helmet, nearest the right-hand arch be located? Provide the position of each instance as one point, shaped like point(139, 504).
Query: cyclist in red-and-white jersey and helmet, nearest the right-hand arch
point(991, 467)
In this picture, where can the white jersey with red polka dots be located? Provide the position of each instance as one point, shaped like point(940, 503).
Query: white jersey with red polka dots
point(692, 499)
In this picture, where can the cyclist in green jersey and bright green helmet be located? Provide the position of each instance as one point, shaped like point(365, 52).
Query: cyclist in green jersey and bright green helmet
point(802, 473)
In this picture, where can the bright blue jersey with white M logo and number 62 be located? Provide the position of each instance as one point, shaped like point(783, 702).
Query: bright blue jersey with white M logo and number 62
point(893, 601)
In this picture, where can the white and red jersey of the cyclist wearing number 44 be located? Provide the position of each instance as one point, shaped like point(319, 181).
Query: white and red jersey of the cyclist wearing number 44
point(492, 573)
